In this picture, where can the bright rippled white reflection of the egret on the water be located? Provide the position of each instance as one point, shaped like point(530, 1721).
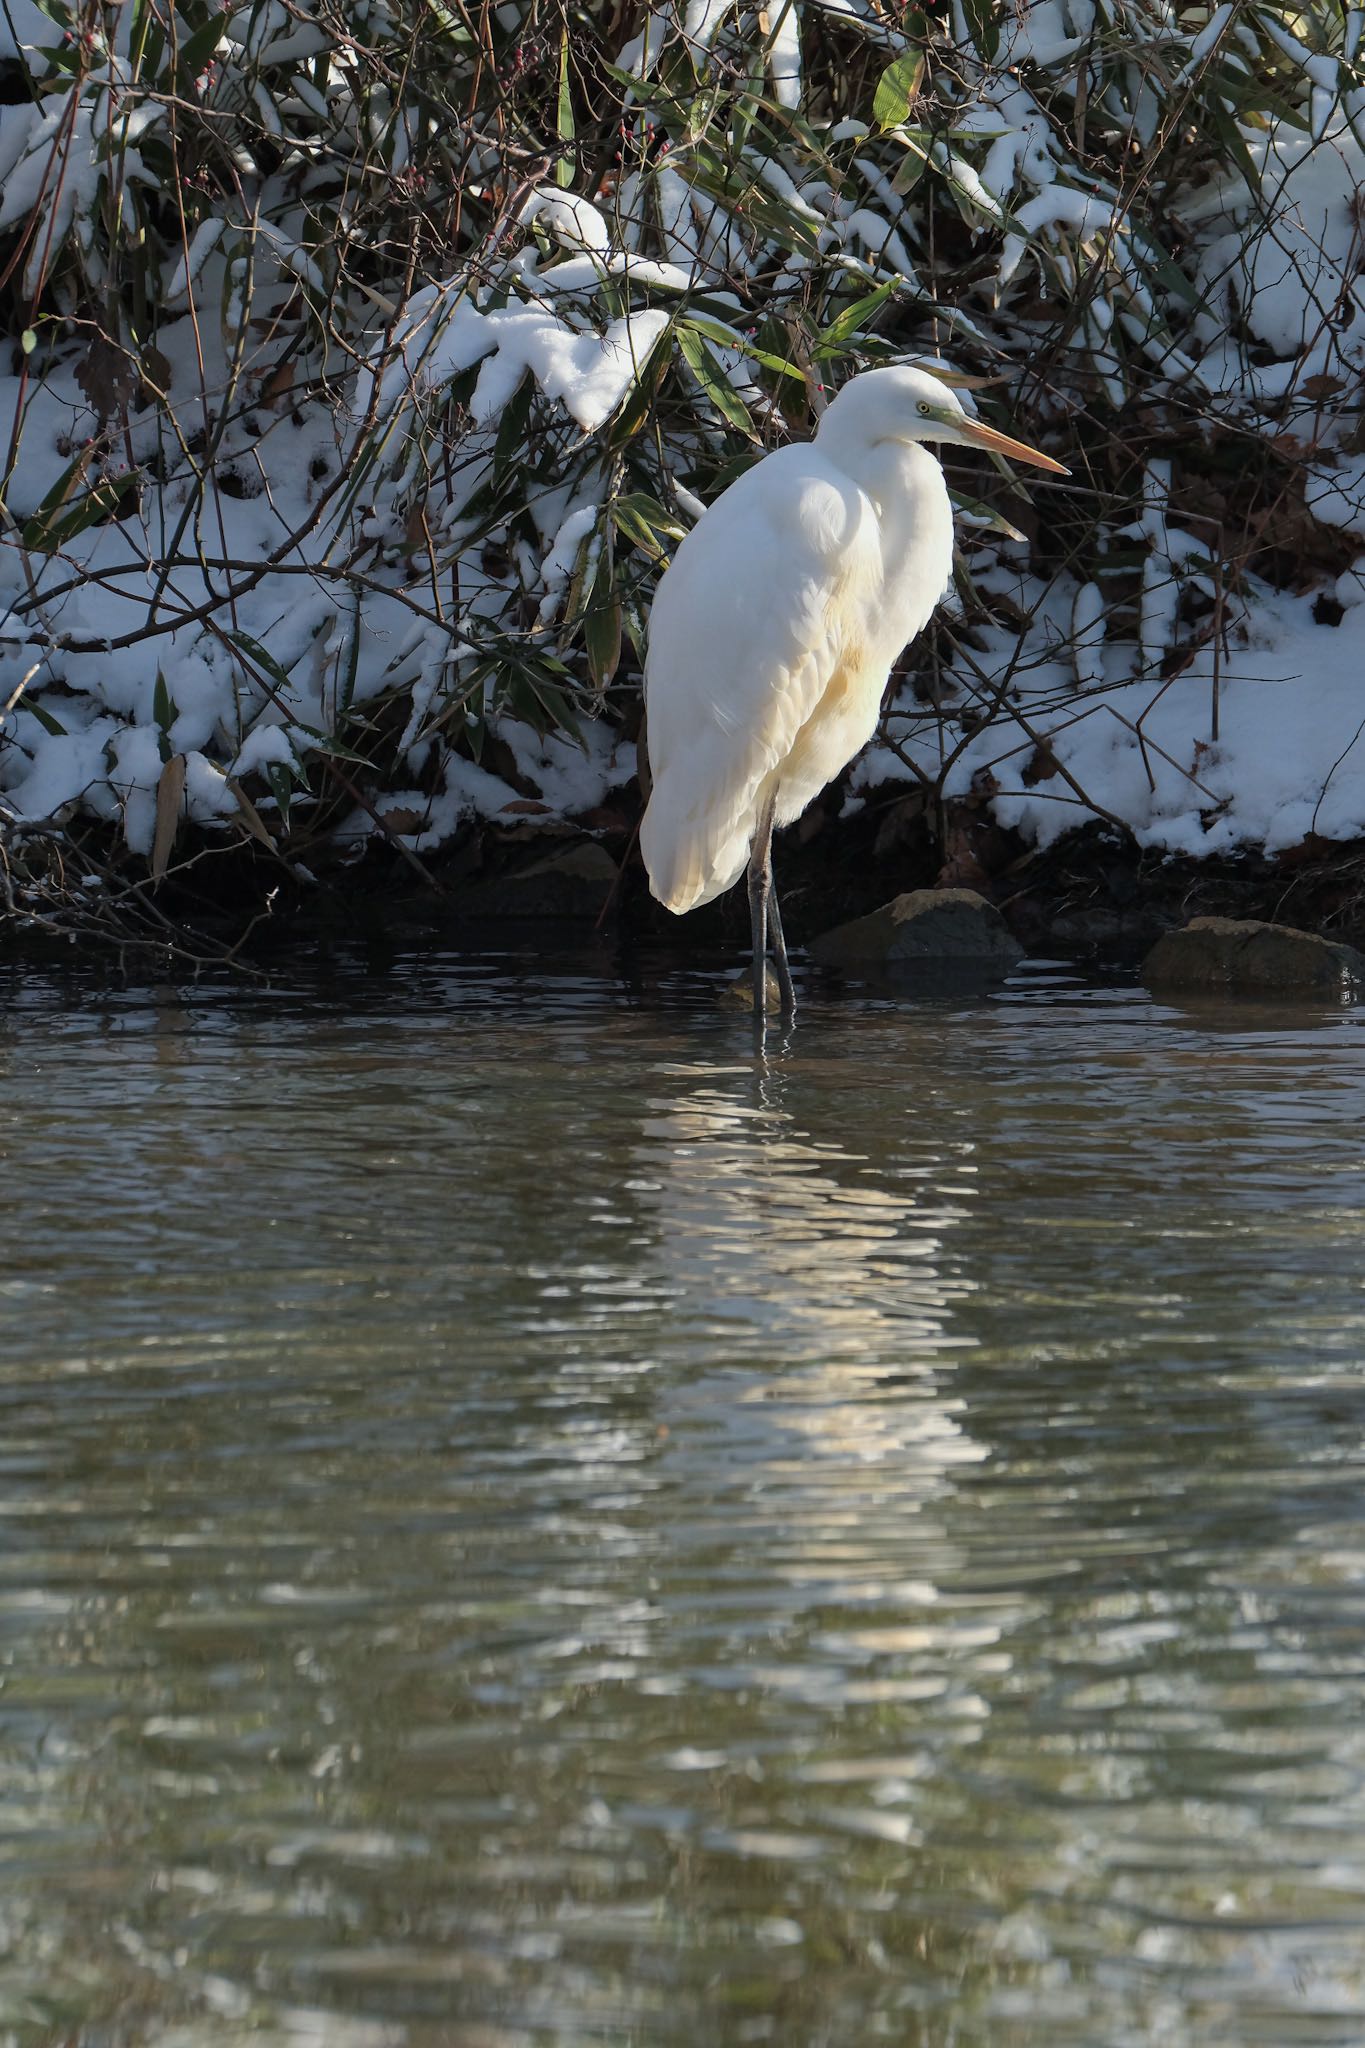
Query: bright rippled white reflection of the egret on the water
point(793, 1254)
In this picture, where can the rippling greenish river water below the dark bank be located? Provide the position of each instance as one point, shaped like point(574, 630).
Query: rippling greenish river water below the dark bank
point(527, 1525)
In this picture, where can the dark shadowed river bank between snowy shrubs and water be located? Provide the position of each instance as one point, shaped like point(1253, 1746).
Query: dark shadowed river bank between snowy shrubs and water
point(1096, 896)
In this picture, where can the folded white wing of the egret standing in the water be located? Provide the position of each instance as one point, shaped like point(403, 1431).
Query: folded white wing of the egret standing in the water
point(748, 628)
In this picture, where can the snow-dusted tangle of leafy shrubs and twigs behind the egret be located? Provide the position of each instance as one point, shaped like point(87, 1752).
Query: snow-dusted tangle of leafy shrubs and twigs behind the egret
point(369, 359)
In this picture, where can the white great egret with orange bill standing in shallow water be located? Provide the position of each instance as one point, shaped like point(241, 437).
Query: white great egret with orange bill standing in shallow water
point(775, 630)
